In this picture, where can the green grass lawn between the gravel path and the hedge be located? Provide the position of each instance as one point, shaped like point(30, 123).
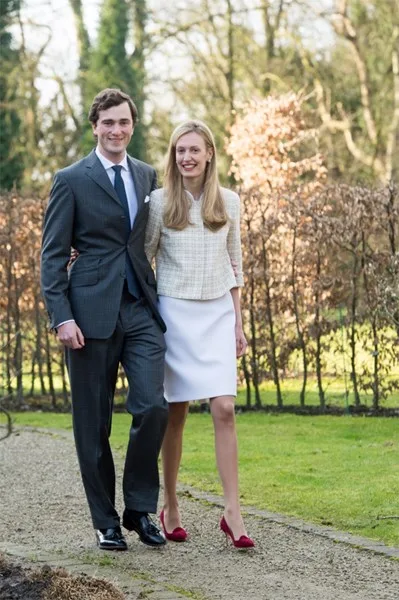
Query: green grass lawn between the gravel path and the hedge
point(340, 471)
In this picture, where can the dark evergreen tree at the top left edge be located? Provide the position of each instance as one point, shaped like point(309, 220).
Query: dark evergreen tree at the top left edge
point(11, 161)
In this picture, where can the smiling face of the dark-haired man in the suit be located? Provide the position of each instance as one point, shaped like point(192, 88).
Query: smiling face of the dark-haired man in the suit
point(114, 130)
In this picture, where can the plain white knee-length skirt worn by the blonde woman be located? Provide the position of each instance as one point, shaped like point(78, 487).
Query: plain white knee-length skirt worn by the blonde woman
point(200, 359)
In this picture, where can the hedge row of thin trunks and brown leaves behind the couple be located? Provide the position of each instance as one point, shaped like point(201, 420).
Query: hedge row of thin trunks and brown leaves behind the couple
point(321, 297)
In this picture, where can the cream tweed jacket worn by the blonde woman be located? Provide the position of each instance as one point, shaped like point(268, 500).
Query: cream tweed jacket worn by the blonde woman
point(194, 263)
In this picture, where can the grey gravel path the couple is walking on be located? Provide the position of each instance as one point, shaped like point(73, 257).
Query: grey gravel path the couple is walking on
point(43, 517)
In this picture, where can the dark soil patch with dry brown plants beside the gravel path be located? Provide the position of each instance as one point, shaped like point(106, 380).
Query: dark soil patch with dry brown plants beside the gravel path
point(22, 583)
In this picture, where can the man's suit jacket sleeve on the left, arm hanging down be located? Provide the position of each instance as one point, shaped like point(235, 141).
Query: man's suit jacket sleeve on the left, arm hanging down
point(56, 248)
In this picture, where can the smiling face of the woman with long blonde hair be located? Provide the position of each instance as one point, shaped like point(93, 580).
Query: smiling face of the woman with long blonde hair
point(192, 155)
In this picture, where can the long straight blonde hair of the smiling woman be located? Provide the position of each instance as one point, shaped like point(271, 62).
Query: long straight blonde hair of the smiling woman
point(176, 214)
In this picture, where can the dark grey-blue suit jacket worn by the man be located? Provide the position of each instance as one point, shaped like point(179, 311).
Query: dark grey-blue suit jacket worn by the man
point(85, 212)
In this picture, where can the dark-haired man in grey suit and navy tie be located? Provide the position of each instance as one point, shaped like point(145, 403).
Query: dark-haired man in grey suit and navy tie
point(105, 313)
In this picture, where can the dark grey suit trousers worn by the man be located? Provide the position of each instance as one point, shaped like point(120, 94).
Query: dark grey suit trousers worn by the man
point(138, 344)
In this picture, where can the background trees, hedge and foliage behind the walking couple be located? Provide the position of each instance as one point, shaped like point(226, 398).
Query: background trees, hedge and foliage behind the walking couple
point(303, 99)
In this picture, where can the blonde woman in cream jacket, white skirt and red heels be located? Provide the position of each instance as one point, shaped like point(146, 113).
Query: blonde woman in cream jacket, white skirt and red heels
point(194, 233)
